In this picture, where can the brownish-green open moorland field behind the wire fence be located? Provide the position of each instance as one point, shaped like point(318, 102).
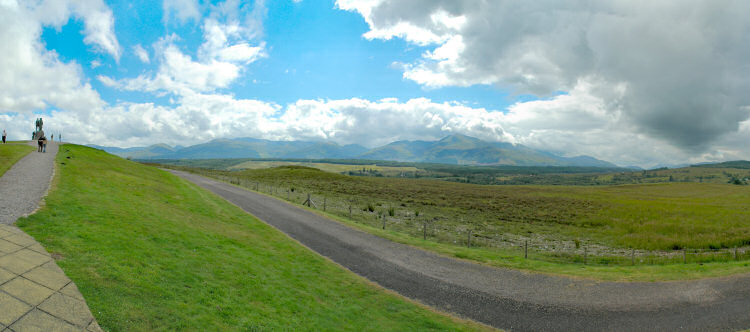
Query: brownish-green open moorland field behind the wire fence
point(647, 216)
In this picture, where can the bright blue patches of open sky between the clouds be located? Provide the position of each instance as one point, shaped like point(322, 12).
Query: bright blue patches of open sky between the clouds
point(315, 51)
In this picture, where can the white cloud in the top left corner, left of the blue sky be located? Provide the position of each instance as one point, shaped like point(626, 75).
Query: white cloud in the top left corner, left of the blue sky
point(33, 78)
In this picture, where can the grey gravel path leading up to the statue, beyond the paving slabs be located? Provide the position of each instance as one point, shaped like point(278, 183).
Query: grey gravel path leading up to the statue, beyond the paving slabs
point(23, 186)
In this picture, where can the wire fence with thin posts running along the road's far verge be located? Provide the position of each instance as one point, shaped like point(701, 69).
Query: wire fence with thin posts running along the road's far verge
point(434, 227)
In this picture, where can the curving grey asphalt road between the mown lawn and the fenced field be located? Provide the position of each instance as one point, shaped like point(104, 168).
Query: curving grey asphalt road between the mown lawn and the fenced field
point(504, 298)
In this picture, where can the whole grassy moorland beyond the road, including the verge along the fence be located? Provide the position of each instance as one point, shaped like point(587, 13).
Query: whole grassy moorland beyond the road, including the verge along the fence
point(687, 214)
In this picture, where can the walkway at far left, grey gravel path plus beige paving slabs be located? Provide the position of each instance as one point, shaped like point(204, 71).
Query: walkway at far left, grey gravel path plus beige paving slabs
point(35, 294)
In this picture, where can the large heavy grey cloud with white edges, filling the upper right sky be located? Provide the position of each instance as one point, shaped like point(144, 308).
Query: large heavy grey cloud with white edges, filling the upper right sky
point(680, 68)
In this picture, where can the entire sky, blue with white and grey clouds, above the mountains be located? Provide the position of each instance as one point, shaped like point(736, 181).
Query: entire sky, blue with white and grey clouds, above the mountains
point(636, 83)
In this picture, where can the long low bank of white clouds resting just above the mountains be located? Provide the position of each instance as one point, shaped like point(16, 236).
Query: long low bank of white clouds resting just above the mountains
point(197, 117)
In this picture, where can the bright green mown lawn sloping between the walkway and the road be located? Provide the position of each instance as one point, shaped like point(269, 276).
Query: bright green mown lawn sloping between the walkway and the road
point(150, 251)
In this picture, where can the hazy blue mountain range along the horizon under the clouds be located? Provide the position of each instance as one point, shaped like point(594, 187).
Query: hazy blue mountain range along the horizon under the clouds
point(453, 149)
